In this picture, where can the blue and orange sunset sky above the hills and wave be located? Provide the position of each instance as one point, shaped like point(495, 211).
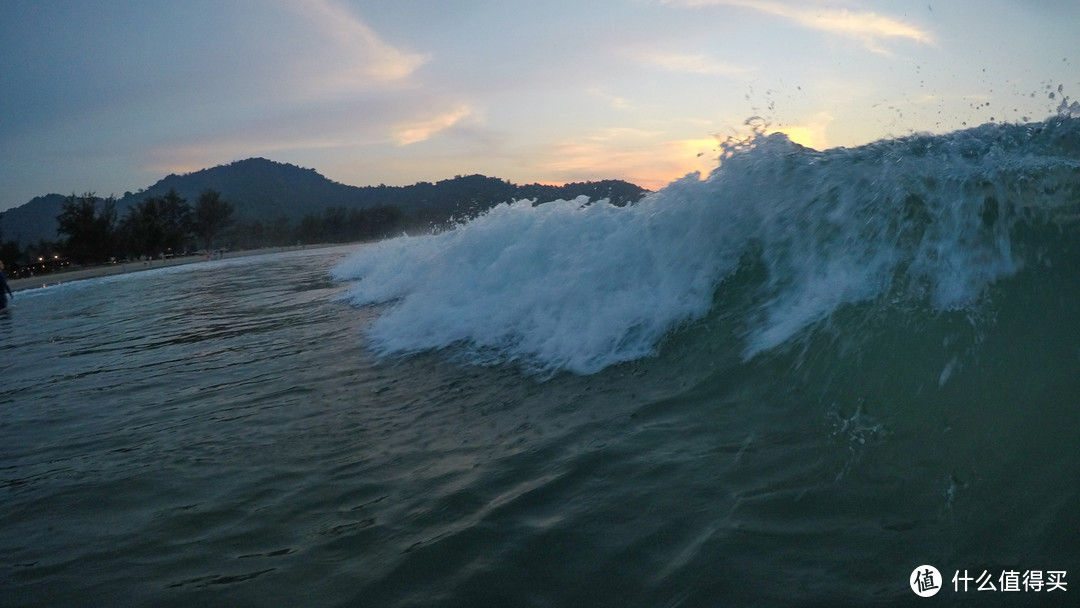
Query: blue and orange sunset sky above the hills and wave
point(112, 96)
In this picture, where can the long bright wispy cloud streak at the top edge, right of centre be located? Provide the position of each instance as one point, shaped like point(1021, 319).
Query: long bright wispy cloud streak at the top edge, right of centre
point(869, 29)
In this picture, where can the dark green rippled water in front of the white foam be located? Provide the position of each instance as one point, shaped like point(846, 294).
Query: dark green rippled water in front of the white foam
point(219, 435)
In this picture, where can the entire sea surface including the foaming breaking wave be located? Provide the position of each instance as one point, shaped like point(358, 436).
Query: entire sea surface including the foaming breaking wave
point(791, 383)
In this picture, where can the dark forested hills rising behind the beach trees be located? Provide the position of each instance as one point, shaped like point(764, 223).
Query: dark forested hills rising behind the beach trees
point(268, 192)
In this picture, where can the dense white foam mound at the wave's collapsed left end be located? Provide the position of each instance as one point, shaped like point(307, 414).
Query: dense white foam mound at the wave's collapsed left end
point(559, 286)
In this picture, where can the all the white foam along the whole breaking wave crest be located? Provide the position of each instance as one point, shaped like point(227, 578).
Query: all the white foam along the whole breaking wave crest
point(577, 287)
